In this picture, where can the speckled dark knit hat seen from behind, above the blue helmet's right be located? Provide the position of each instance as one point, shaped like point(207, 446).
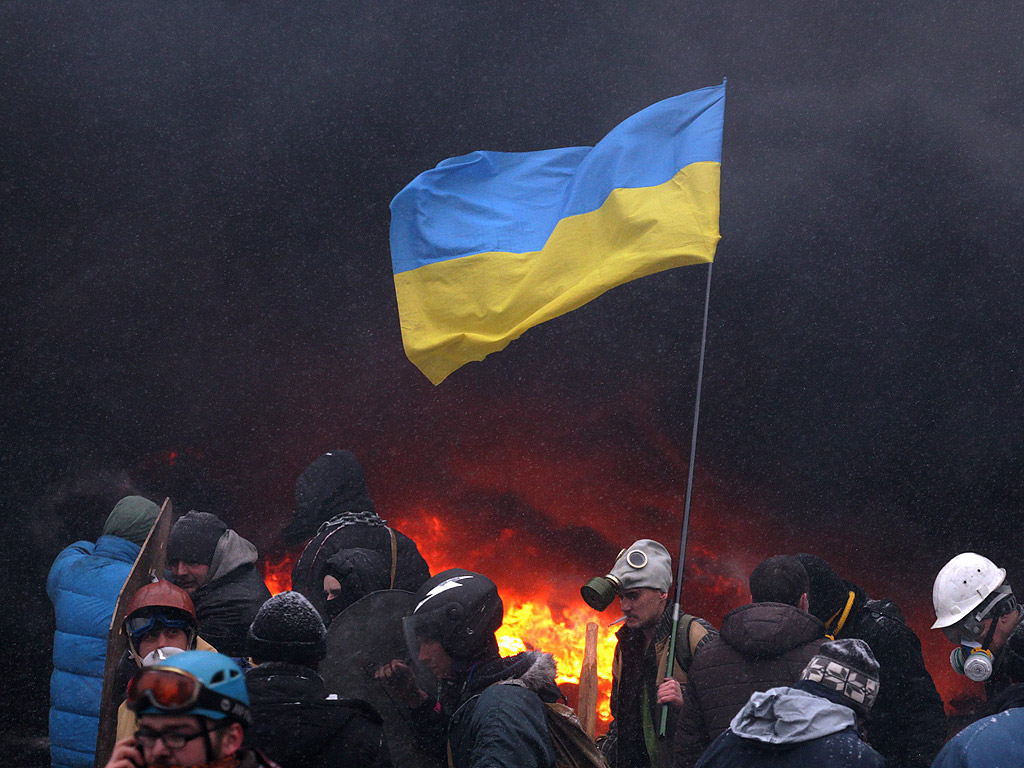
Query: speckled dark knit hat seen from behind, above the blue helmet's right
point(287, 629)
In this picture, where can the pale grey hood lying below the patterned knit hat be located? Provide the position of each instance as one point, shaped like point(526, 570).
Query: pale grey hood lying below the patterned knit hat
point(789, 716)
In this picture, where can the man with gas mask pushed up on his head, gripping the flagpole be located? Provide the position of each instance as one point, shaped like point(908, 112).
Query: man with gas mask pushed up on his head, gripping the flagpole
point(642, 578)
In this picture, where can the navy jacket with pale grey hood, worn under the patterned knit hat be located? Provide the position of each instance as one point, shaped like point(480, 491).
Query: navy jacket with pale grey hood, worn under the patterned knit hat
point(791, 728)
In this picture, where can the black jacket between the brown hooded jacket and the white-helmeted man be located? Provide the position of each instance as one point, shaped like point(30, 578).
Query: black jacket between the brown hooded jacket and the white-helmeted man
point(908, 723)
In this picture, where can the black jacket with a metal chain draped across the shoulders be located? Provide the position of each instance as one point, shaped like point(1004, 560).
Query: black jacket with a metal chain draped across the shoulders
point(340, 534)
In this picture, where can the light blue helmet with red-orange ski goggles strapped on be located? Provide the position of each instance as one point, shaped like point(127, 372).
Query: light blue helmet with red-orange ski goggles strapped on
point(211, 687)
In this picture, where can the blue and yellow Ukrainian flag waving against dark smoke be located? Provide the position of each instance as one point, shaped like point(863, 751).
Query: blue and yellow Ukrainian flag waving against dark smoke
point(491, 244)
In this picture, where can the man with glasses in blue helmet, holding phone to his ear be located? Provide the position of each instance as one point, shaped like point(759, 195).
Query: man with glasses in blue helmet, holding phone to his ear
point(193, 711)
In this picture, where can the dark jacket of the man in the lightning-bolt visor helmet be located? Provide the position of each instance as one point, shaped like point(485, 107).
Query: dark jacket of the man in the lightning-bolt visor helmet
point(489, 722)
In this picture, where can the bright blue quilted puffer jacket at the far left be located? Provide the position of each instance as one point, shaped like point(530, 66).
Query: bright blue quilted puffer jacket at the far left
point(83, 586)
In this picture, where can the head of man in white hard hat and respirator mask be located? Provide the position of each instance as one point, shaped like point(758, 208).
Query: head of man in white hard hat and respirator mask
point(976, 611)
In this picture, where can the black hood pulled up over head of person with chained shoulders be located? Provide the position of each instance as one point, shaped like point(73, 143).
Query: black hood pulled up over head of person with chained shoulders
point(331, 485)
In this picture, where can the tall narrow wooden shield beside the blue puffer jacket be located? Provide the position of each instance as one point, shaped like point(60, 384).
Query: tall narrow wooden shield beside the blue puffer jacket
point(149, 566)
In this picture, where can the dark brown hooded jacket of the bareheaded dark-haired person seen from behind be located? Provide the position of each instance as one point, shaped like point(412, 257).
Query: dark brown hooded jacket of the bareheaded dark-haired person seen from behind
point(762, 646)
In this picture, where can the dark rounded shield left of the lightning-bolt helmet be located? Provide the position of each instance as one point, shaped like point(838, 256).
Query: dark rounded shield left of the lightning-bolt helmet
point(363, 638)
